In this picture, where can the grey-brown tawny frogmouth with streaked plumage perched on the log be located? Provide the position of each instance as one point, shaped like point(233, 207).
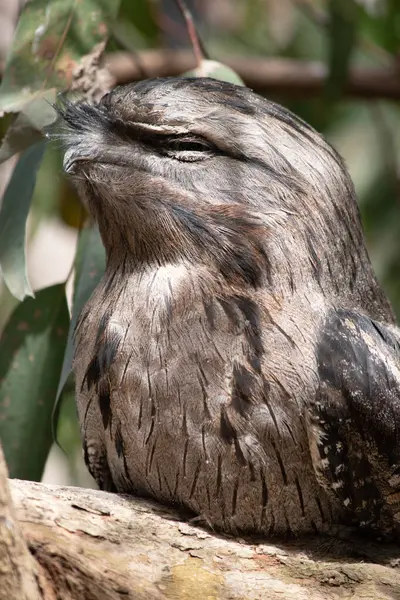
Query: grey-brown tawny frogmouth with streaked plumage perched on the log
point(239, 359)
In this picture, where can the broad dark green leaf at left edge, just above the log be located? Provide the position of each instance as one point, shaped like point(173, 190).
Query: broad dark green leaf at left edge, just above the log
point(31, 354)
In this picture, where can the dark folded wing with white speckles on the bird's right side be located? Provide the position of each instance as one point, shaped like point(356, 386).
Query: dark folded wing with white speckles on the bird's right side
point(356, 416)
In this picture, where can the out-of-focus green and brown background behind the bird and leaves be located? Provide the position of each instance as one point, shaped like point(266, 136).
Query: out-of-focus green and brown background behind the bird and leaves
point(336, 63)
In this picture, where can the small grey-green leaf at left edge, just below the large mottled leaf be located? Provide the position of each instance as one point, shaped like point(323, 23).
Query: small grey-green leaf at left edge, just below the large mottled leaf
point(28, 126)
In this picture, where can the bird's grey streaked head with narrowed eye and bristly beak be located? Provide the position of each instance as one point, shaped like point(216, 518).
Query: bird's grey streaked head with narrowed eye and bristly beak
point(210, 171)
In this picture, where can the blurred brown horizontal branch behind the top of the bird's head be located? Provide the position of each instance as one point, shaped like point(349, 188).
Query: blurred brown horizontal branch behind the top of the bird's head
point(264, 75)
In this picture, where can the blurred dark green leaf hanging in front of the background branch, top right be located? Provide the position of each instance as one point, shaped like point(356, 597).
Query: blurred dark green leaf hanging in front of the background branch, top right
point(342, 32)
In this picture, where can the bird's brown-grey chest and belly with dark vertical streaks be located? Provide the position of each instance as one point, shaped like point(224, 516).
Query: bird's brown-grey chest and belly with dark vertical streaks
point(180, 392)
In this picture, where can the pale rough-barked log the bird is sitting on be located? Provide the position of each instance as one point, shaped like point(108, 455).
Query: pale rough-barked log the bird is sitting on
point(94, 545)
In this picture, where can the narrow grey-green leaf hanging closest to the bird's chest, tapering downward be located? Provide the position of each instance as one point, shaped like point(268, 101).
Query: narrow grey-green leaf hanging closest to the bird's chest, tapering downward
point(89, 268)
